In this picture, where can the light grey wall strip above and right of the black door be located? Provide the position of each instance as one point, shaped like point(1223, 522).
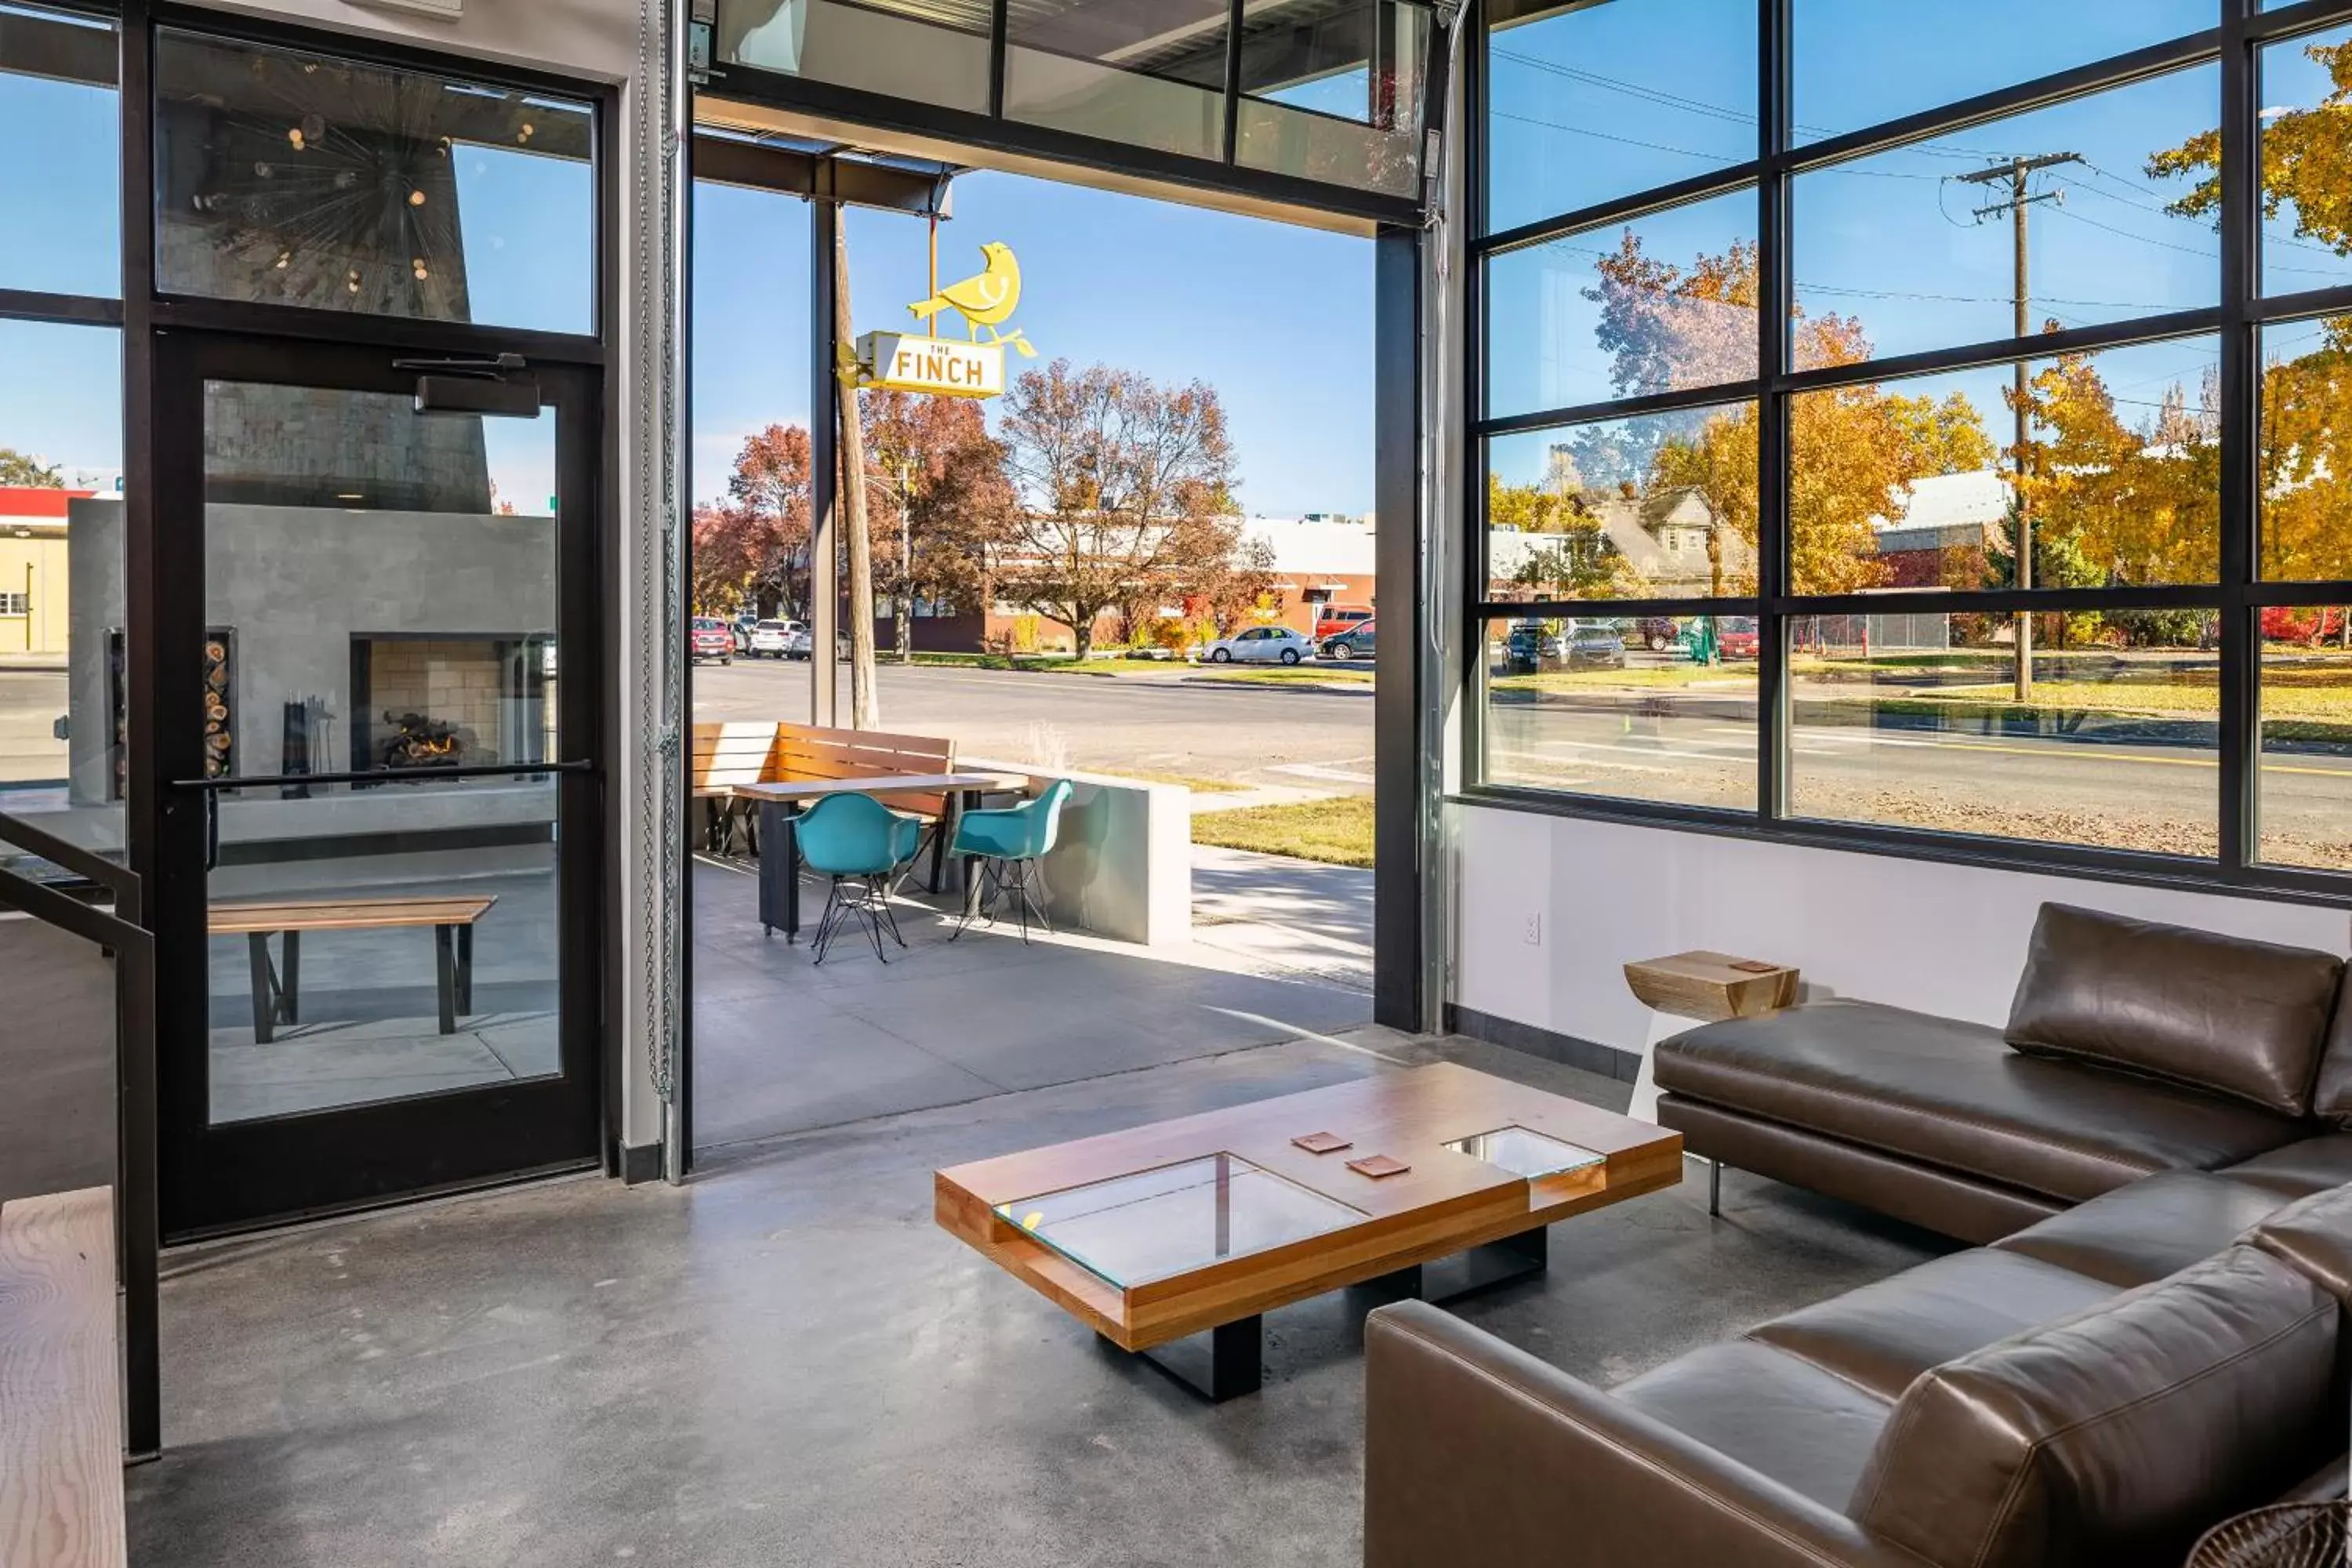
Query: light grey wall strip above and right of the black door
point(596, 41)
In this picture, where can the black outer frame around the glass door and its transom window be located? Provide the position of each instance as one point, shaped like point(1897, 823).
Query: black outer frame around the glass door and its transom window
point(154, 819)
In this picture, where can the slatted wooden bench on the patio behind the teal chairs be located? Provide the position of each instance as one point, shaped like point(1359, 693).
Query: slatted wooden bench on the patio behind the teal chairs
point(730, 756)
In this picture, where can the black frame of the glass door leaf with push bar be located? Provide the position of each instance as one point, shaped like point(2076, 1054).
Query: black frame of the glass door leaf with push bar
point(279, 1170)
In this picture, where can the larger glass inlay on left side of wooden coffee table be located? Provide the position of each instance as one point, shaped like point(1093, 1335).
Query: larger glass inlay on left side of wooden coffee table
point(1177, 1219)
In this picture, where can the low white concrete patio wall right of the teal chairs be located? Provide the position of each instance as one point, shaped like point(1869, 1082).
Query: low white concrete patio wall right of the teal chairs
point(1123, 859)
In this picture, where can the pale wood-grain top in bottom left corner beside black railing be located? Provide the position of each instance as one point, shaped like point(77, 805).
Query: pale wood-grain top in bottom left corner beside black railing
point(60, 1386)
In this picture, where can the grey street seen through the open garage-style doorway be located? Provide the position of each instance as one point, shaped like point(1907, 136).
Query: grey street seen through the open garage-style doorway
point(1154, 728)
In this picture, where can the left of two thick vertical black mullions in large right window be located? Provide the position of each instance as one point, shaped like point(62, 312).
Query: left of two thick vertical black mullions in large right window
point(1775, 297)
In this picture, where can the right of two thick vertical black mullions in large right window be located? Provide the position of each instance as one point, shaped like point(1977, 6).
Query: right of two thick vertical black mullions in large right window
point(2240, 413)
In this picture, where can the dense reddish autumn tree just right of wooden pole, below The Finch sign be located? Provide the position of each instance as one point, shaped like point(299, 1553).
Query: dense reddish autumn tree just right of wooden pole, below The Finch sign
point(940, 497)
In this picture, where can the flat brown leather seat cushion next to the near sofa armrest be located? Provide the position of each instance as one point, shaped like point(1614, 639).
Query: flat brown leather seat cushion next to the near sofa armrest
point(1775, 1414)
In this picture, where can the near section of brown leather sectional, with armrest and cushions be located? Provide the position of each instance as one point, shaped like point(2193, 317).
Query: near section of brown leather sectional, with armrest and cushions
point(2097, 1388)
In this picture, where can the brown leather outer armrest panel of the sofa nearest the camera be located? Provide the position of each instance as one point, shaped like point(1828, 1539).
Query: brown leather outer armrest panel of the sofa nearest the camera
point(1481, 1454)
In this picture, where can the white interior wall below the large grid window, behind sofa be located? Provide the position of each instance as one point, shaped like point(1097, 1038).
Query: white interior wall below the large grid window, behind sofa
point(1920, 934)
